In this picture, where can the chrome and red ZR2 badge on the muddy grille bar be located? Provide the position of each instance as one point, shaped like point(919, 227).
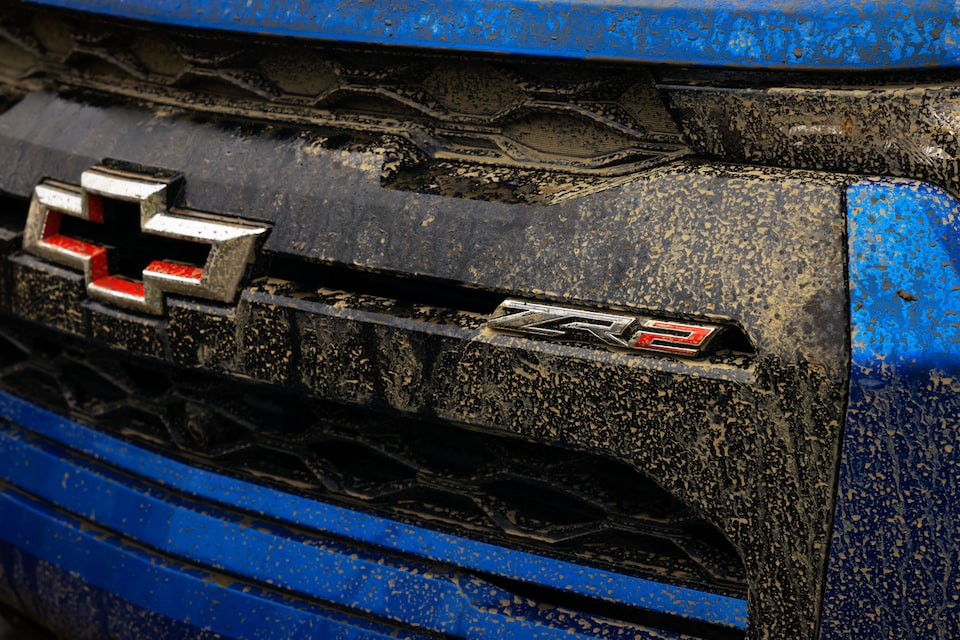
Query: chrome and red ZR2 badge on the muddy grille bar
point(634, 333)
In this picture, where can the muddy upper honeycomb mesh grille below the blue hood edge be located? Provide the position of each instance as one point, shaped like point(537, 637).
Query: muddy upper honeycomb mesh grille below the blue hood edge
point(535, 114)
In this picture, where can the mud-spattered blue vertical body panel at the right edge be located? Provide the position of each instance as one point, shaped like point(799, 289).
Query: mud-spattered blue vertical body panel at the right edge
point(893, 569)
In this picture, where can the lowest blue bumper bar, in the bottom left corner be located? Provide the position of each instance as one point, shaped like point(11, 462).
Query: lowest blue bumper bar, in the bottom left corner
point(119, 590)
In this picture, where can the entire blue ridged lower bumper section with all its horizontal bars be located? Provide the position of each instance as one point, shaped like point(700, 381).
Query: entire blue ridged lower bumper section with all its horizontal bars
point(210, 555)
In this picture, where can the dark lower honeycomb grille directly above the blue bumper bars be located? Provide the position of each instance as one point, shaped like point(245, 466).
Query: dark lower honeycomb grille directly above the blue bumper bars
point(570, 505)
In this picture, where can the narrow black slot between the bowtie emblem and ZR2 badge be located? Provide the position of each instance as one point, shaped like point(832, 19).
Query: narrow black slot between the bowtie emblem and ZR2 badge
point(403, 290)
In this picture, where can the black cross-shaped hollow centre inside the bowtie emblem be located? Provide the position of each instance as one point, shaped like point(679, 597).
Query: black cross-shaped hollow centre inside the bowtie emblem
point(132, 249)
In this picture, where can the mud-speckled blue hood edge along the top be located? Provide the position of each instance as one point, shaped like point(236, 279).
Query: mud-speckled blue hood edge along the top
point(750, 33)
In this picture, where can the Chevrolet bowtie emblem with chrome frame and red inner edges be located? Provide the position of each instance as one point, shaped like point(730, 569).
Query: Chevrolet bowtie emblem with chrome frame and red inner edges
point(228, 244)
